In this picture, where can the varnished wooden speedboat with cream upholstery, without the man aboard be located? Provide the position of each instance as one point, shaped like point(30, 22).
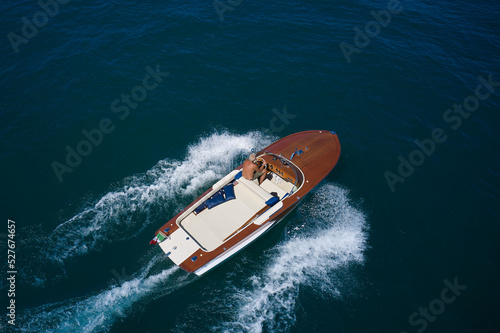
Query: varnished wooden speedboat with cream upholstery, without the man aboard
point(235, 211)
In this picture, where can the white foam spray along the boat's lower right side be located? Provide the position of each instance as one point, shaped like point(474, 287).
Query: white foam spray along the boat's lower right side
point(331, 237)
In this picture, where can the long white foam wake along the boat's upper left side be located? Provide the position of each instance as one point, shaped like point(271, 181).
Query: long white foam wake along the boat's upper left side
point(123, 213)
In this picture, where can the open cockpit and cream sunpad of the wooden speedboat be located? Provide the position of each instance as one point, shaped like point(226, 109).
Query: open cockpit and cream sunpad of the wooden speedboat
point(235, 202)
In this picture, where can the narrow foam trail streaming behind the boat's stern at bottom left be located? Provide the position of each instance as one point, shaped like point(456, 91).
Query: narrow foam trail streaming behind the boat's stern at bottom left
point(98, 313)
